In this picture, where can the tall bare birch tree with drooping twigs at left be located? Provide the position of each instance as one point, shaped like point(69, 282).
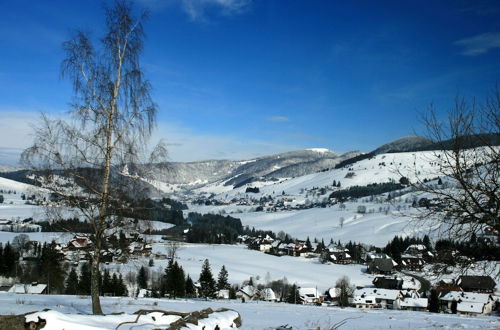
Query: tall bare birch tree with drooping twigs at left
point(80, 159)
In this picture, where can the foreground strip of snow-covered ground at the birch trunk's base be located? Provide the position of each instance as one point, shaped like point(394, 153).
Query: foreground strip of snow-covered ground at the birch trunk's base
point(256, 315)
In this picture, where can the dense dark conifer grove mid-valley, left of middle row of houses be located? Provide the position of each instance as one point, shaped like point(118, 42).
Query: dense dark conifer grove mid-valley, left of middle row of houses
point(213, 229)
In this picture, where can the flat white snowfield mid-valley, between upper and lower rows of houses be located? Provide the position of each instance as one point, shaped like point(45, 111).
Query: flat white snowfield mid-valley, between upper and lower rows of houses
point(242, 263)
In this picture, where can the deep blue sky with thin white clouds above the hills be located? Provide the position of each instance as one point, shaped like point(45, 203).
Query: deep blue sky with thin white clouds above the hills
point(239, 78)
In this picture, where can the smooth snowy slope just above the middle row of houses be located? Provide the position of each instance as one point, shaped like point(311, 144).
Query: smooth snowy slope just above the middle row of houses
point(377, 228)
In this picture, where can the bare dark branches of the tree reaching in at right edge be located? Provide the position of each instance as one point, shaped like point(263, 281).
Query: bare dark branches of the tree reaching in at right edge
point(466, 198)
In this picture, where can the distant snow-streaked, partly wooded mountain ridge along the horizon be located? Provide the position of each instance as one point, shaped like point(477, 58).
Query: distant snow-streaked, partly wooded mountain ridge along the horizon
point(290, 164)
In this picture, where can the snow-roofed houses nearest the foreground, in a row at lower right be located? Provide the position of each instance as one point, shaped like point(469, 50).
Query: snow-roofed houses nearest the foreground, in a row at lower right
point(469, 295)
